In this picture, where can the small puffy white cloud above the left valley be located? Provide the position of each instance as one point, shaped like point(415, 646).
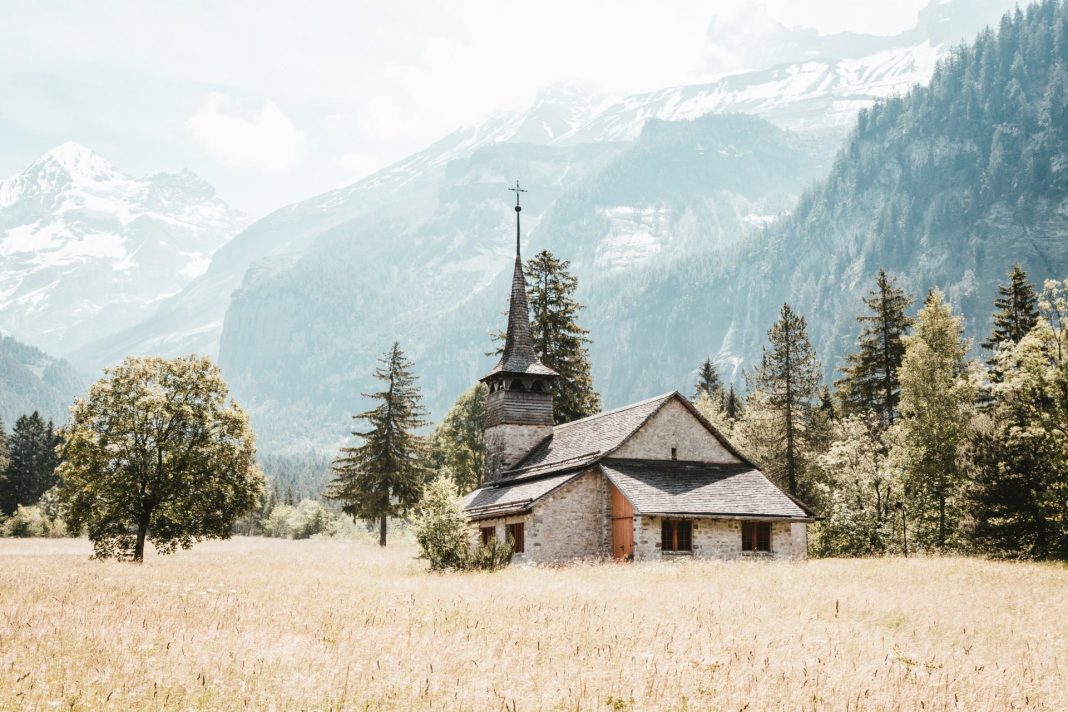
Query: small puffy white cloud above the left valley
point(265, 139)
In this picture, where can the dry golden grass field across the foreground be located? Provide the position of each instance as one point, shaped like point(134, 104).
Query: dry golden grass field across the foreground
point(322, 625)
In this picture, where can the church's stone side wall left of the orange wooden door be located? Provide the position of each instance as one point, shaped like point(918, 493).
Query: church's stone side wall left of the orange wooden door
point(572, 524)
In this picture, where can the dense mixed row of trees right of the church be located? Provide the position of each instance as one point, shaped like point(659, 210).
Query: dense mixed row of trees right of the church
point(918, 447)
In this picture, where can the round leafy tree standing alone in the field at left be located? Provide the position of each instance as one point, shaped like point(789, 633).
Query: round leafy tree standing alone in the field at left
point(158, 452)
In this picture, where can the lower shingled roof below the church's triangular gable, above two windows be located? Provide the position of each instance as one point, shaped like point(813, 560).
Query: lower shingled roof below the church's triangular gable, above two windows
point(669, 487)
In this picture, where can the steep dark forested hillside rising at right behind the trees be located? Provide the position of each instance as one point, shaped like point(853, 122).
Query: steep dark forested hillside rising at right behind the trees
point(948, 186)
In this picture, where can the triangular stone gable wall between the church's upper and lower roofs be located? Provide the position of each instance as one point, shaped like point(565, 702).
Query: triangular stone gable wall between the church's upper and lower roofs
point(676, 426)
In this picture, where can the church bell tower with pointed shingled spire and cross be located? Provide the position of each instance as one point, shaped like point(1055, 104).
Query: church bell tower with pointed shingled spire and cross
point(520, 404)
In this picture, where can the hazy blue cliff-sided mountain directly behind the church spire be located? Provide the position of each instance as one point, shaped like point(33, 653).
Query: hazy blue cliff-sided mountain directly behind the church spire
point(303, 335)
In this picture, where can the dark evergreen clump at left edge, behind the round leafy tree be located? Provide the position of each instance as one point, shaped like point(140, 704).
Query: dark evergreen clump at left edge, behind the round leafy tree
point(32, 470)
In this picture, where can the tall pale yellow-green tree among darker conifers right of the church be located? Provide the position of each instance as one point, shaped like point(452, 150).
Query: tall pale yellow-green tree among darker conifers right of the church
point(938, 394)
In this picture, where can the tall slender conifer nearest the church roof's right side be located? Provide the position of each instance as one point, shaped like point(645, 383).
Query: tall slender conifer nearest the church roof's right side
point(786, 386)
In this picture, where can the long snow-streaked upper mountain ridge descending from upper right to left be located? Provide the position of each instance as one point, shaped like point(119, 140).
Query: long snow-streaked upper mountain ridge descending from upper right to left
point(815, 85)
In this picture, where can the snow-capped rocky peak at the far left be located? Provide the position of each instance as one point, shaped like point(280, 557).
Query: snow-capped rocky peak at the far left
point(87, 250)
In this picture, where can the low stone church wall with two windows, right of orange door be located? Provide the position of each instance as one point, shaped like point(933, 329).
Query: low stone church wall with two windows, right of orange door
point(721, 539)
